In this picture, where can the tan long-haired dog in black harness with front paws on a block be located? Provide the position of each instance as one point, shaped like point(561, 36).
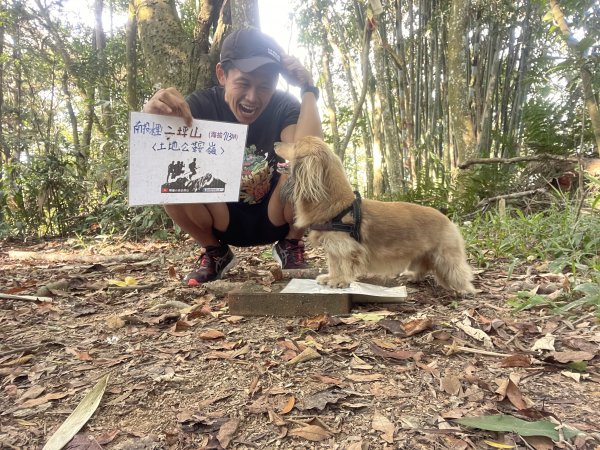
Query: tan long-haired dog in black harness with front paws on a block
point(377, 238)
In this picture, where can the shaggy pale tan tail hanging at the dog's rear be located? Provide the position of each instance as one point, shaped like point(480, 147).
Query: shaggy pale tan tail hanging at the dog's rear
point(450, 262)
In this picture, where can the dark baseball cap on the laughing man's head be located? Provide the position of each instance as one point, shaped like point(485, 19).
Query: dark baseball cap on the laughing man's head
point(249, 48)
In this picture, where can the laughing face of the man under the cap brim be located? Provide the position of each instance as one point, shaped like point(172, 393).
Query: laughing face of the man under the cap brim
point(248, 93)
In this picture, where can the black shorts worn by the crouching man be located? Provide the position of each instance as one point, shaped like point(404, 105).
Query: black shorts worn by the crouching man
point(250, 225)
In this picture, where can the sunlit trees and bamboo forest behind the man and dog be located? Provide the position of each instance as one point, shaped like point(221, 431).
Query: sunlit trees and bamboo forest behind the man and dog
point(411, 91)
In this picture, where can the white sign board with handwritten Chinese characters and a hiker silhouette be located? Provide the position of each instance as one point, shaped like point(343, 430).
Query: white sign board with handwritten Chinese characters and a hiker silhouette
point(172, 163)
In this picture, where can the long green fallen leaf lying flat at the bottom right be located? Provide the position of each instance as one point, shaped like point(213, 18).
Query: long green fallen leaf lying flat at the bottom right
point(519, 426)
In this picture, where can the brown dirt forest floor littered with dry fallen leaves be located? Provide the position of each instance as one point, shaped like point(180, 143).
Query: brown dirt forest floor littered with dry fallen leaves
point(186, 374)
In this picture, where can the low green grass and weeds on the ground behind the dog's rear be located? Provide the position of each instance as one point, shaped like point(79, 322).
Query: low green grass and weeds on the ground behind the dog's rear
point(568, 242)
